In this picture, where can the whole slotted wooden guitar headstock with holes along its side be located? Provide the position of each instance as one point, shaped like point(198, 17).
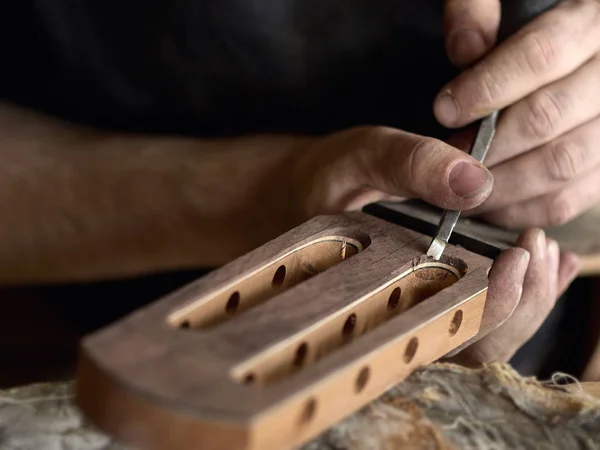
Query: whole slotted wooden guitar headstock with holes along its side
point(356, 308)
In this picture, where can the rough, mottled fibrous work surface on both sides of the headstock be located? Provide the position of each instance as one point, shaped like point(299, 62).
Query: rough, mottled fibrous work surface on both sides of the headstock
point(440, 407)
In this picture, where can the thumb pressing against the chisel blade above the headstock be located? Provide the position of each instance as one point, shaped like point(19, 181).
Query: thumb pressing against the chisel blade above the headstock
point(372, 163)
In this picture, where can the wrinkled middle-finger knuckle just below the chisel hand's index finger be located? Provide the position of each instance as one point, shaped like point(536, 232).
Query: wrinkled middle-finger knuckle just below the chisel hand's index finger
point(544, 113)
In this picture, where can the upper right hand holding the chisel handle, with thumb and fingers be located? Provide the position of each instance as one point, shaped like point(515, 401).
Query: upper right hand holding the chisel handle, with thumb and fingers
point(544, 157)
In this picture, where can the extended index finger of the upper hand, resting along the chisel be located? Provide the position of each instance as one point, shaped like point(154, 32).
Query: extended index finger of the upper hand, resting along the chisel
point(545, 50)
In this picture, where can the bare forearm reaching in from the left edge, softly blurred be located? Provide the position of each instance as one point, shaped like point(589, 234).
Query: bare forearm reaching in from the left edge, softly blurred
point(80, 204)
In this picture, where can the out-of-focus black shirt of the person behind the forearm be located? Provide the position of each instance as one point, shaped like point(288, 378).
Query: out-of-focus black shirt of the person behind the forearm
point(226, 67)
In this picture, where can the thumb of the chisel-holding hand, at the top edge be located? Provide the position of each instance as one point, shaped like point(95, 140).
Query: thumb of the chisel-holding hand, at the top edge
point(470, 29)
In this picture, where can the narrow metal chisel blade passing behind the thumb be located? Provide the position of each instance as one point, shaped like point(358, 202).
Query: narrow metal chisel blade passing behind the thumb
point(479, 149)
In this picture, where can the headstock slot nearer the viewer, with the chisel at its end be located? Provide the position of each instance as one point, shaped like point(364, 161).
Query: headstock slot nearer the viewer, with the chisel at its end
point(425, 279)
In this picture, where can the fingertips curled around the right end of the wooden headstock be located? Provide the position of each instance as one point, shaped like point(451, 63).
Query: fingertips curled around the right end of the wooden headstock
point(524, 284)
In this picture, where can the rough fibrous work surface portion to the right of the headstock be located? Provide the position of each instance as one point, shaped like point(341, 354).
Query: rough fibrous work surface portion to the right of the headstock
point(446, 407)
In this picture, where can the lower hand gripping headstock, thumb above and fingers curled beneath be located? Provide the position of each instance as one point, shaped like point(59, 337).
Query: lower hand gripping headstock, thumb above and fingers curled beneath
point(347, 170)
